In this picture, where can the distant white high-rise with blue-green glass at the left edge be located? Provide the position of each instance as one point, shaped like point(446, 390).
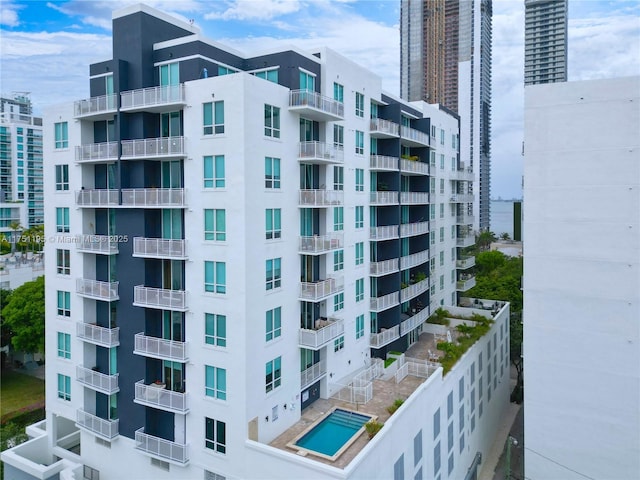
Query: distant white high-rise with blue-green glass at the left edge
point(21, 194)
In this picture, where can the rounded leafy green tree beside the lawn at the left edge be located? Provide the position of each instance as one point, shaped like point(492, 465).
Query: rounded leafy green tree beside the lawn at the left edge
point(23, 316)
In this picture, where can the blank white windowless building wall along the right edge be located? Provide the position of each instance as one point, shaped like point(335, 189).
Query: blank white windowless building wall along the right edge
point(582, 280)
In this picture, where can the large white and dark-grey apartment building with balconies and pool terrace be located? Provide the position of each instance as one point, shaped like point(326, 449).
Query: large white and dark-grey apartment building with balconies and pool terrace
point(248, 249)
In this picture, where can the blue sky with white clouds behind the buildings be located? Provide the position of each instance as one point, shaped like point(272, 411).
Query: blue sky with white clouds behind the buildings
point(46, 48)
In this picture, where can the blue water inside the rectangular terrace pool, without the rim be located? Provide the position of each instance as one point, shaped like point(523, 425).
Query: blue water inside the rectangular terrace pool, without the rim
point(333, 432)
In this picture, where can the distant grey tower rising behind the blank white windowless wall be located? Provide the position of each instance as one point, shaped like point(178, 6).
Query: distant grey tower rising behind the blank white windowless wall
point(545, 41)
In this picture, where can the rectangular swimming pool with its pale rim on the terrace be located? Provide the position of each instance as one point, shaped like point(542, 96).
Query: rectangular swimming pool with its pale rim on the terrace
point(332, 434)
